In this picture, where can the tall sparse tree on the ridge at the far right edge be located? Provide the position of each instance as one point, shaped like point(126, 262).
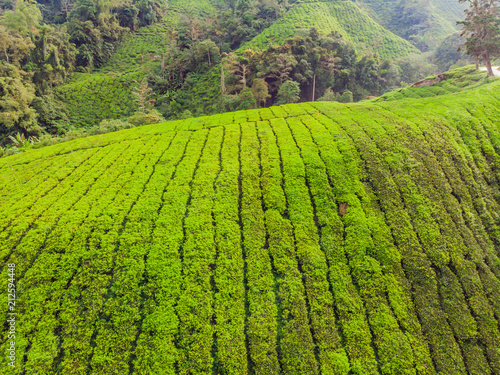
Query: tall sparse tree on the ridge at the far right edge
point(481, 29)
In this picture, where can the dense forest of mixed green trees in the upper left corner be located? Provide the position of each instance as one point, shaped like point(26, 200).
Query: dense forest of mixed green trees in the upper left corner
point(38, 55)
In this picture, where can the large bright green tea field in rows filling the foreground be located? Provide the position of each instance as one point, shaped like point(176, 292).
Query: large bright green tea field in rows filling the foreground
point(301, 239)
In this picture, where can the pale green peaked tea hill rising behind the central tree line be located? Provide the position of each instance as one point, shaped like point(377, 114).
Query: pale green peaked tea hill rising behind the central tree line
point(343, 16)
